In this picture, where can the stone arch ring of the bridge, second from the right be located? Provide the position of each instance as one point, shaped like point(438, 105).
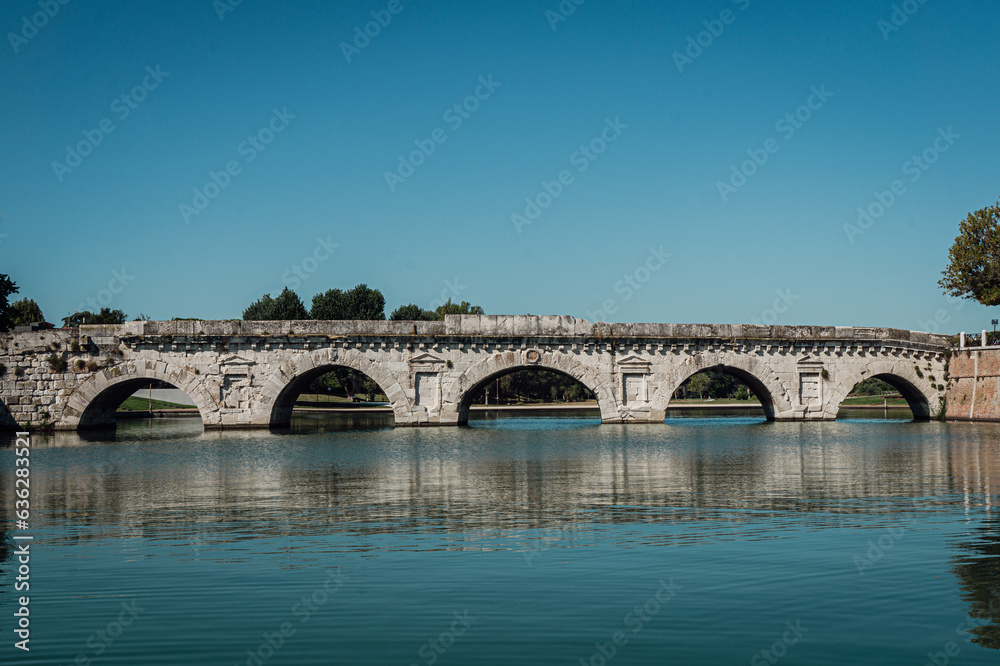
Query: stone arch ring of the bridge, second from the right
point(749, 369)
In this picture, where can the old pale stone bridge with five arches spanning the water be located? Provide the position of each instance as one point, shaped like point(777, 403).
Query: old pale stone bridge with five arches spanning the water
point(249, 373)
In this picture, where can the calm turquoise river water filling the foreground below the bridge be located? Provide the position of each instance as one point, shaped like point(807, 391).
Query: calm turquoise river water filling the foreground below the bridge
point(541, 540)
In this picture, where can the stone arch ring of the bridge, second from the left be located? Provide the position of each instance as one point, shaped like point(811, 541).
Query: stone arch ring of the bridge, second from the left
point(277, 396)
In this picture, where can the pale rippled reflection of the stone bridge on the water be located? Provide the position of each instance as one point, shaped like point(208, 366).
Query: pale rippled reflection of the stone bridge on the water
point(607, 476)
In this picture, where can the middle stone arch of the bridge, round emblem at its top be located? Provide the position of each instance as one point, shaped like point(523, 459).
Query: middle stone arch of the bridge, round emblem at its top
point(465, 386)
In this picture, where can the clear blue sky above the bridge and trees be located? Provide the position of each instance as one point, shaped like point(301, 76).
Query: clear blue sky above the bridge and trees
point(886, 96)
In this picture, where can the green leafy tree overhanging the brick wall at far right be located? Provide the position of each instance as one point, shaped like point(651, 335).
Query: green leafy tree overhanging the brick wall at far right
point(974, 259)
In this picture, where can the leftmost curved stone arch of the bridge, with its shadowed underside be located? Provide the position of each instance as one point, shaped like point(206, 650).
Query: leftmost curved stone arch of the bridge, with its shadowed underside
point(95, 402)
